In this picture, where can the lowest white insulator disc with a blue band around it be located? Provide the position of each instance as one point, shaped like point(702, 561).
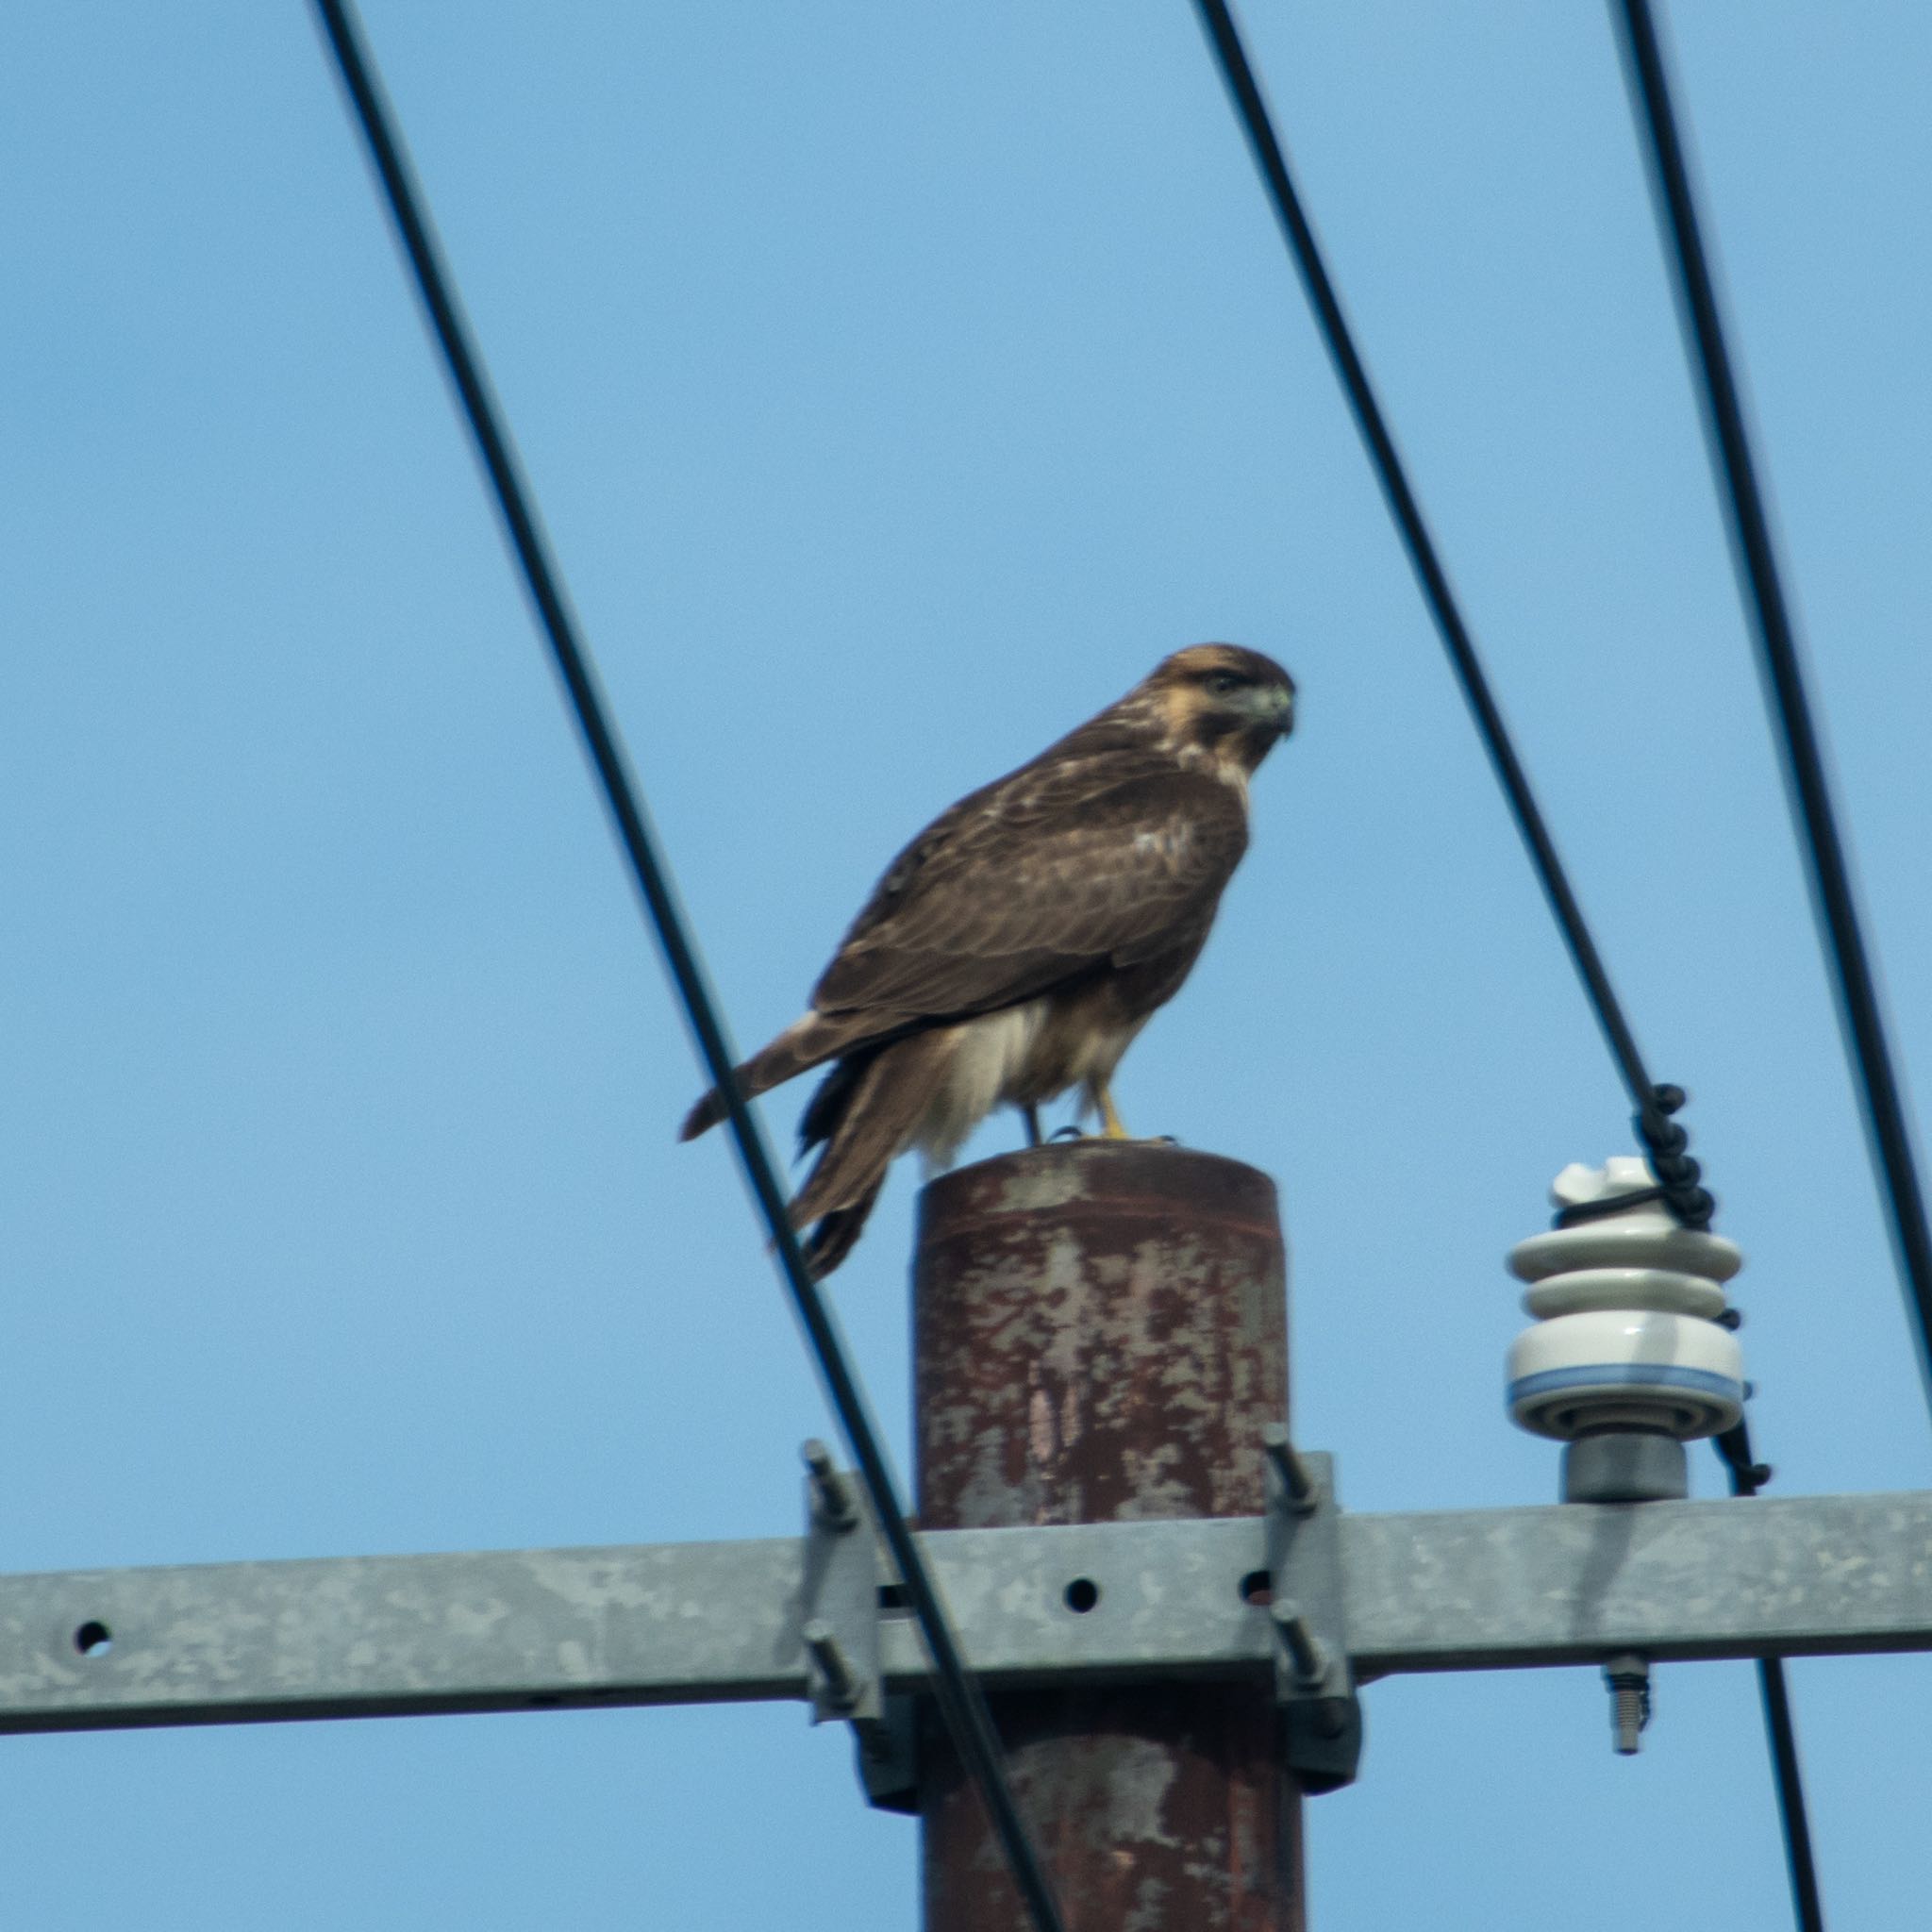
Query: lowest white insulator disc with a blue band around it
point(1626, 1369)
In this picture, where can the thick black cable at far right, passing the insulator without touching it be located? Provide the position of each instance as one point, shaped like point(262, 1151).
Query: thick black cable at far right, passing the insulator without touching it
point(1784, 675)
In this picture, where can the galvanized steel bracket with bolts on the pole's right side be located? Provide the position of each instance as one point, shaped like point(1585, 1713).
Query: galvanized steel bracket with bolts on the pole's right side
point(1315, 1682)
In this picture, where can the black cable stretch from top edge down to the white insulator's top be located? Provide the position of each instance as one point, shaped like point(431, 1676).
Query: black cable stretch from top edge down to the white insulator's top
point(1655, 1104)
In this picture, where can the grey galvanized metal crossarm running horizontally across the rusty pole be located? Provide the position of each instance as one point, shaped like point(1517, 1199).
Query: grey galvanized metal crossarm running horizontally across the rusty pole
point(683, 1624)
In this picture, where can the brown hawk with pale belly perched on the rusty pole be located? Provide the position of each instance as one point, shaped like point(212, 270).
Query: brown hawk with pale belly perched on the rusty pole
point(1025, 938)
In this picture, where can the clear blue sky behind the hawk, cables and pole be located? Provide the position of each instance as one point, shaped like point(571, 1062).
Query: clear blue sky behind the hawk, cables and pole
point(901, 384)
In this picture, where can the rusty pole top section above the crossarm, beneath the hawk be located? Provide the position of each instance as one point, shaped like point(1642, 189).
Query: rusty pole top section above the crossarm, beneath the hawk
point(1100, 1334)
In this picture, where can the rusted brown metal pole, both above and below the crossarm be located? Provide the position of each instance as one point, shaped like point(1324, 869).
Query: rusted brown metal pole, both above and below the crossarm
point(1100, 1334)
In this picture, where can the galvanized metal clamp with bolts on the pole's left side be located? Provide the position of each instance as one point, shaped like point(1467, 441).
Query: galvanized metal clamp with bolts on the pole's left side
point(839, 1634)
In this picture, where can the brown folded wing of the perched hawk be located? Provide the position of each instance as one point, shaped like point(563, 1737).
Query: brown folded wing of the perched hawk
point(1042, 876)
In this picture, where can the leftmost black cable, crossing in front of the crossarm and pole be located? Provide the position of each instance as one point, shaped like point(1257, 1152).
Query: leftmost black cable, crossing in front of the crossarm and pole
point(957, 1693)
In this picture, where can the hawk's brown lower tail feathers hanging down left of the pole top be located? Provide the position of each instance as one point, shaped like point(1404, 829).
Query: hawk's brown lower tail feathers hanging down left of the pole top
point(865, 1118)
